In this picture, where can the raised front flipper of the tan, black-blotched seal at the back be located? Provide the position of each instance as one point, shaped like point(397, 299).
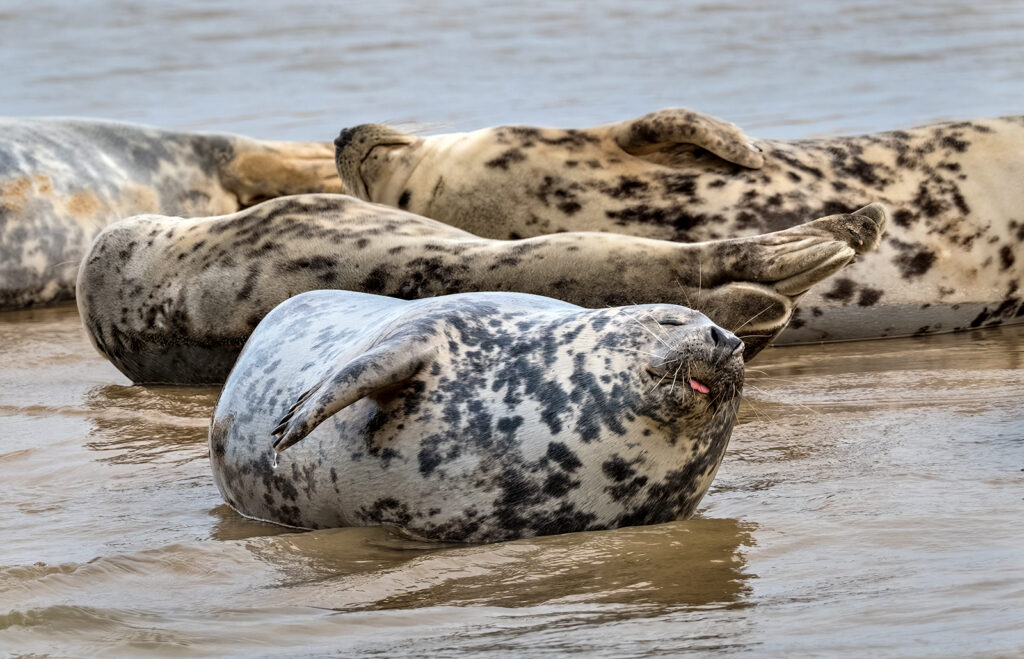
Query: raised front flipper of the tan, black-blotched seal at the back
point(667, 128)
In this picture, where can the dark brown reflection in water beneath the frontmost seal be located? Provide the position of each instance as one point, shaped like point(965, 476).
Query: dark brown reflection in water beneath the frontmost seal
point(696, 563)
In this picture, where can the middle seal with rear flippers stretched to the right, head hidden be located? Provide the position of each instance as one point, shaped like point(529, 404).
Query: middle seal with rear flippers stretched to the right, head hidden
point(174, 301)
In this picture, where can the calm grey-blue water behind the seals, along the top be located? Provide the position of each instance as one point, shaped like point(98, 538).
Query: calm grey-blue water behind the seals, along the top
point(304, 70)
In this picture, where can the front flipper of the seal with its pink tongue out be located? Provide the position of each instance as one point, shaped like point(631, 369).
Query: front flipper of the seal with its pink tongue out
point(388, 366)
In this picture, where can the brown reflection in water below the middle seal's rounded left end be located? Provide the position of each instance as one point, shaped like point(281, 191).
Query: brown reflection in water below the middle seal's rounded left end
point(150, 424)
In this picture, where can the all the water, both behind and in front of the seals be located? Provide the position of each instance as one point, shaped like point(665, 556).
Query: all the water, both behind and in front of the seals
point(872, 498)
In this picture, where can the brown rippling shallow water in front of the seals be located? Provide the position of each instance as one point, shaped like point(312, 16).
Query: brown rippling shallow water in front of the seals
point(870, 503)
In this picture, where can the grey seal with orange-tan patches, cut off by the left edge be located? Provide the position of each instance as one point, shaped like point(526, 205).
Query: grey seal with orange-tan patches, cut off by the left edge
point(63, 181)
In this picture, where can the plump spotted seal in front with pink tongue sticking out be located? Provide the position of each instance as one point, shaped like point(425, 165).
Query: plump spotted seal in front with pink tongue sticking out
point(475, 418)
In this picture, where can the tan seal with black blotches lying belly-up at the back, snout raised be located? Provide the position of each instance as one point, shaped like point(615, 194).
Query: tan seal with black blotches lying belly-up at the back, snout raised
point(953, 259)
